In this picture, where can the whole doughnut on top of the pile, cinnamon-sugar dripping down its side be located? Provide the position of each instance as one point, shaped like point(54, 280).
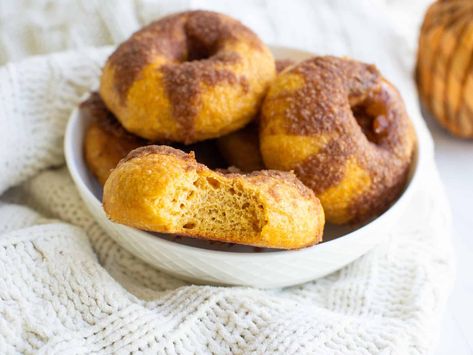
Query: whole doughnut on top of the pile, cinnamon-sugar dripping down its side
point(187, 77)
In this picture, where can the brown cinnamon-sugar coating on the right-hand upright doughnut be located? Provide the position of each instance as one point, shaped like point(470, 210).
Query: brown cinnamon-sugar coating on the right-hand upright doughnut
point(335, 89)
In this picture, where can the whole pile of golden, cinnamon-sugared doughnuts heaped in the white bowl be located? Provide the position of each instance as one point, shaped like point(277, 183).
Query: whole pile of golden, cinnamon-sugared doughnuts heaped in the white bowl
point(197, 131)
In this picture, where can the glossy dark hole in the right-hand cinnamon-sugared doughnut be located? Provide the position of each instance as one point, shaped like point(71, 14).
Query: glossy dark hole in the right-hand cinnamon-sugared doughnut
point(373, 122)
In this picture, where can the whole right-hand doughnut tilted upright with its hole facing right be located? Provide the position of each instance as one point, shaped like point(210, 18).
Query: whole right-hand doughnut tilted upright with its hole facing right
point(344, 131)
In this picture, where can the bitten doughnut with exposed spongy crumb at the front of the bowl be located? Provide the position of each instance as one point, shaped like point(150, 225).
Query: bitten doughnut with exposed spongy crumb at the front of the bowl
point(162, 189)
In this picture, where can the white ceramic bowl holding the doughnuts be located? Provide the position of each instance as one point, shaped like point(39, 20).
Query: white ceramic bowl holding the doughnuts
point(215, 263)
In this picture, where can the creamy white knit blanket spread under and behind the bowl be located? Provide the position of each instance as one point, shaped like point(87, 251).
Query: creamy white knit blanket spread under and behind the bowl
point(66, 287)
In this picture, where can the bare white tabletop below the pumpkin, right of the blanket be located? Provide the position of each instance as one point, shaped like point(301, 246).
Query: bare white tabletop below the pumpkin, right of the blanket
point(455, 162)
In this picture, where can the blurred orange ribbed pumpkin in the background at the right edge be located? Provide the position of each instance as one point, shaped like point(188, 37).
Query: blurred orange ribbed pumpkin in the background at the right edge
point(445, 64)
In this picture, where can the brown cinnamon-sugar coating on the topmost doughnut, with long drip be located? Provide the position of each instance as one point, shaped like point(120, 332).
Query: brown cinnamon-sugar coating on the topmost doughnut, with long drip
point(194, 45)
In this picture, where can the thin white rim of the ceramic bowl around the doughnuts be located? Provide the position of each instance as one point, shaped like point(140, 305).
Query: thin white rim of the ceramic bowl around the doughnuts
point(418, 161)
